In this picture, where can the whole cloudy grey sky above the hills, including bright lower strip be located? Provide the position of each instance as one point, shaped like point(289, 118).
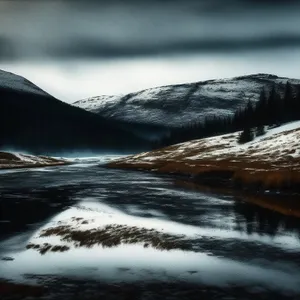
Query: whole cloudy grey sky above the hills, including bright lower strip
point(78, 49)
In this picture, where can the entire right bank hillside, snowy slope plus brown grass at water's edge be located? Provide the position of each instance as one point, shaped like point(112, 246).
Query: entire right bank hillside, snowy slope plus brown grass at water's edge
point(271, 161)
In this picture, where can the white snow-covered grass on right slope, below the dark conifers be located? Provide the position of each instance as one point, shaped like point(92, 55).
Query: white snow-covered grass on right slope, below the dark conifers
point(278, 144)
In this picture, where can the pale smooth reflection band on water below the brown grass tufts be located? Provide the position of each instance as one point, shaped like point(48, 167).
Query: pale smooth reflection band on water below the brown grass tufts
point(134, 263)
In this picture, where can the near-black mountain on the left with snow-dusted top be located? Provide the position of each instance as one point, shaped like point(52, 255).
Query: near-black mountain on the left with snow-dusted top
point(32, 120)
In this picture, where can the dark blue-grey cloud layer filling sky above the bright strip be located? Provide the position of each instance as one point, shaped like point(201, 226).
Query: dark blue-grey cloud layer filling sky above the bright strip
point(53, 29)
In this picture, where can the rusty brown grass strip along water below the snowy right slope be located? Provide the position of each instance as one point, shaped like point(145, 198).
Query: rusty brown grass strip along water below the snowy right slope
point(215, 176)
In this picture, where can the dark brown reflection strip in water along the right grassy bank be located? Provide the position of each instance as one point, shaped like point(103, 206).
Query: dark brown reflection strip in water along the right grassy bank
point(284, 201)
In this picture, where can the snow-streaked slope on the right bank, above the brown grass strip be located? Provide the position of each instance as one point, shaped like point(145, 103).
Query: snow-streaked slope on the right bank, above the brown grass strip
point(277, 149)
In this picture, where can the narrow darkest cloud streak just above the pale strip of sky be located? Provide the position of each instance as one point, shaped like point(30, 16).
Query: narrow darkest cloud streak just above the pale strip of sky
point(93, 49)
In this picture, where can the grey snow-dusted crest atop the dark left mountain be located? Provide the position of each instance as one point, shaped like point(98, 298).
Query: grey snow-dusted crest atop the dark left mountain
point(18, 83)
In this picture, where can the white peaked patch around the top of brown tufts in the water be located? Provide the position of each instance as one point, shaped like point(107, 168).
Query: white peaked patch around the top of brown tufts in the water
point(91, 216)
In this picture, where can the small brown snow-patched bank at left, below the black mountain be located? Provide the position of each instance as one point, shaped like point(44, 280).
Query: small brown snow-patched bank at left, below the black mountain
point(13, 160)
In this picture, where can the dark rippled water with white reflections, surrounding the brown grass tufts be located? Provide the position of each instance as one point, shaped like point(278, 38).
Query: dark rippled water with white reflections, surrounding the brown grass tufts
point(237, 250)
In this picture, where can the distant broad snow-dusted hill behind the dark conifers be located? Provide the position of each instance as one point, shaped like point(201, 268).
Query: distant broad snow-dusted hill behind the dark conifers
point(176, 105)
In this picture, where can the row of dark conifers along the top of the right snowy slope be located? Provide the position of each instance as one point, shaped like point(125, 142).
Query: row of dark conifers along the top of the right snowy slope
point(272, 108)
